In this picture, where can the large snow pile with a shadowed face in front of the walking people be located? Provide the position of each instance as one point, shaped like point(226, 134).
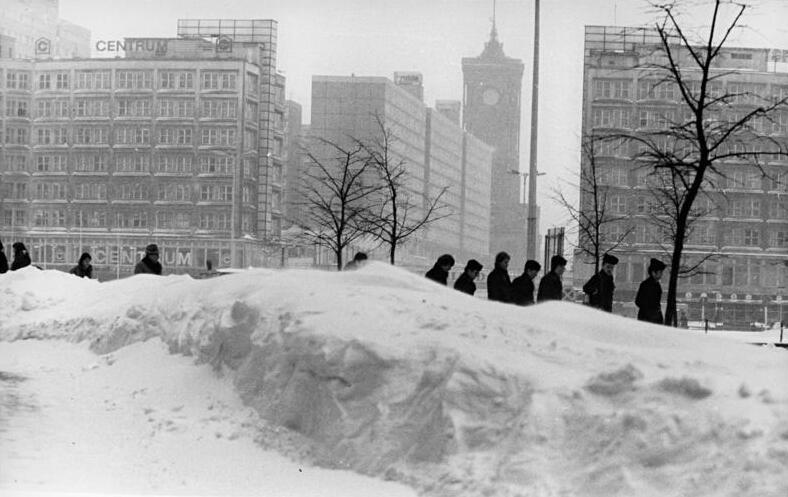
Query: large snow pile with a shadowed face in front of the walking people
point(390, 375)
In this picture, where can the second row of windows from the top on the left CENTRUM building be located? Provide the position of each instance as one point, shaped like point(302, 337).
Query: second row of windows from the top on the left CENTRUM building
point(216, 108)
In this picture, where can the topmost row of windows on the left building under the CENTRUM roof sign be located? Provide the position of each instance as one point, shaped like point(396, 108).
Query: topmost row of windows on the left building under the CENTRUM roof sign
point(125, 79)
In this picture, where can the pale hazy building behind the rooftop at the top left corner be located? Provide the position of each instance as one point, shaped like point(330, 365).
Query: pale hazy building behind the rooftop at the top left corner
point(33, 28)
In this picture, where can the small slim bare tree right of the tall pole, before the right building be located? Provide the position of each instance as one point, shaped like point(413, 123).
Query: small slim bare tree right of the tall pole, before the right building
point(593, 217)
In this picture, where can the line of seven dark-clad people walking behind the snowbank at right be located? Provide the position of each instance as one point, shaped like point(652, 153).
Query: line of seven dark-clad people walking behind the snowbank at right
point(599, 289)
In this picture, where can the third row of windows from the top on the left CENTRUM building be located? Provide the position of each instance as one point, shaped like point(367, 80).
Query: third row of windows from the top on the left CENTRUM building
point(124, 135)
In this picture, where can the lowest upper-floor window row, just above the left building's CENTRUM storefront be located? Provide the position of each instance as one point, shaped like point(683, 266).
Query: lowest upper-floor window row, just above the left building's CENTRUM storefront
point(60, 218)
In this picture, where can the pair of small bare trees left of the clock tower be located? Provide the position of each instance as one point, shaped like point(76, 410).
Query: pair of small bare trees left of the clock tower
point(361, 190)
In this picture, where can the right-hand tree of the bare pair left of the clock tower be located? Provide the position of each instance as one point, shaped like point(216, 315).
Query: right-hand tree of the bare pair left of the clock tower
point(396, 217)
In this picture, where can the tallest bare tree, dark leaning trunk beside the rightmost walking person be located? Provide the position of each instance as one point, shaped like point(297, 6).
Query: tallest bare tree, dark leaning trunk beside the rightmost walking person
point(711, 127)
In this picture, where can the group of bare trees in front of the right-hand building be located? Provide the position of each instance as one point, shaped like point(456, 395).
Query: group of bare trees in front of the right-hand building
point(687, 158)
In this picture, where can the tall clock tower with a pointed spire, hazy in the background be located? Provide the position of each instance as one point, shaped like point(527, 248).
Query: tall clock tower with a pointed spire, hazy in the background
point(491, 112)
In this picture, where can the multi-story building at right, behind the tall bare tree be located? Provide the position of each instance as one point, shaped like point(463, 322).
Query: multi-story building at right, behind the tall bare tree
point(745, 226)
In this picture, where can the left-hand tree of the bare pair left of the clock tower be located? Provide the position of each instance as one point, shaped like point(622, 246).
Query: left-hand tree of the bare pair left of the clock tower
point(337, 197)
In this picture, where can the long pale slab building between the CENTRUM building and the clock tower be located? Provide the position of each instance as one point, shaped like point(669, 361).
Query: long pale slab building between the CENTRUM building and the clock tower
point(436, 151)
